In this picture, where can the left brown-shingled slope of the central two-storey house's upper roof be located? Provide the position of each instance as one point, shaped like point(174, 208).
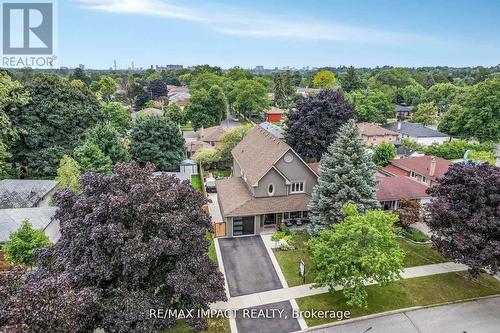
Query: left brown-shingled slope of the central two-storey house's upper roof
point(257, 153)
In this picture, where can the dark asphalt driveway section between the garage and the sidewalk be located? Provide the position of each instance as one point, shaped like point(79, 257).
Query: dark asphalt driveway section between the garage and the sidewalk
point(247, 266)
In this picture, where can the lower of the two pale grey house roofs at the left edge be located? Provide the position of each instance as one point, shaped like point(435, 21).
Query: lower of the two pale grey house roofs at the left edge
point(40, 218)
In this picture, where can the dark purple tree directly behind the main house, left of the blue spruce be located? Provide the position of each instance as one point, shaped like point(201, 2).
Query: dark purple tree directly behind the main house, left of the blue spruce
point(314, 124)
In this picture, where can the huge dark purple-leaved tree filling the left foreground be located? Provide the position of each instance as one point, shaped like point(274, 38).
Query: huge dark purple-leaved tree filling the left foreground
point(131, 242)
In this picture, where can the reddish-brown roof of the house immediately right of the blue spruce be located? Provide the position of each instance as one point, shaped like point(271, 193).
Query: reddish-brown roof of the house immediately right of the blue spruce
point(399, 187)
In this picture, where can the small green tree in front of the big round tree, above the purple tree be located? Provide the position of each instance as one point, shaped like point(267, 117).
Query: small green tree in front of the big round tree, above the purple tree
point(90, 158)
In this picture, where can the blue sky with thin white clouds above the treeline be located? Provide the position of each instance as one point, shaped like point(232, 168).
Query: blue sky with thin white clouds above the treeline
point(277, 33)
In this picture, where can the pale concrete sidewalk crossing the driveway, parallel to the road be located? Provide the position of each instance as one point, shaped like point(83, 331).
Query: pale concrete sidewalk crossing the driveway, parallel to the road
point(285, 294)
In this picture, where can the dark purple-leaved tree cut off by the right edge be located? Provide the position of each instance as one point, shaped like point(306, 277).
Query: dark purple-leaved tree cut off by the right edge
point(464, 216)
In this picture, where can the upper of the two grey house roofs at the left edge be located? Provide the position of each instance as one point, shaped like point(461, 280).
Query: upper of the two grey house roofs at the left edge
point(26, 193)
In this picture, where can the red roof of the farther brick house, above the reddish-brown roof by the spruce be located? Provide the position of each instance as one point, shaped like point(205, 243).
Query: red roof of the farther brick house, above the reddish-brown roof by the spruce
point(421, 165)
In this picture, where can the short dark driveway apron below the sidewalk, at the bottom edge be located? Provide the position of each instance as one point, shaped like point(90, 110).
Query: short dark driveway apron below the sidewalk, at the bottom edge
point(270, 318)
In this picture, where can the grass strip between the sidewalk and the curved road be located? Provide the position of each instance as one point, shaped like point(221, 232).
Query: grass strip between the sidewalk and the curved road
point(435, 289)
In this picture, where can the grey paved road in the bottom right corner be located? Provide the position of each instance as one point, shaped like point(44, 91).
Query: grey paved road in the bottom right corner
point(481, 316)
